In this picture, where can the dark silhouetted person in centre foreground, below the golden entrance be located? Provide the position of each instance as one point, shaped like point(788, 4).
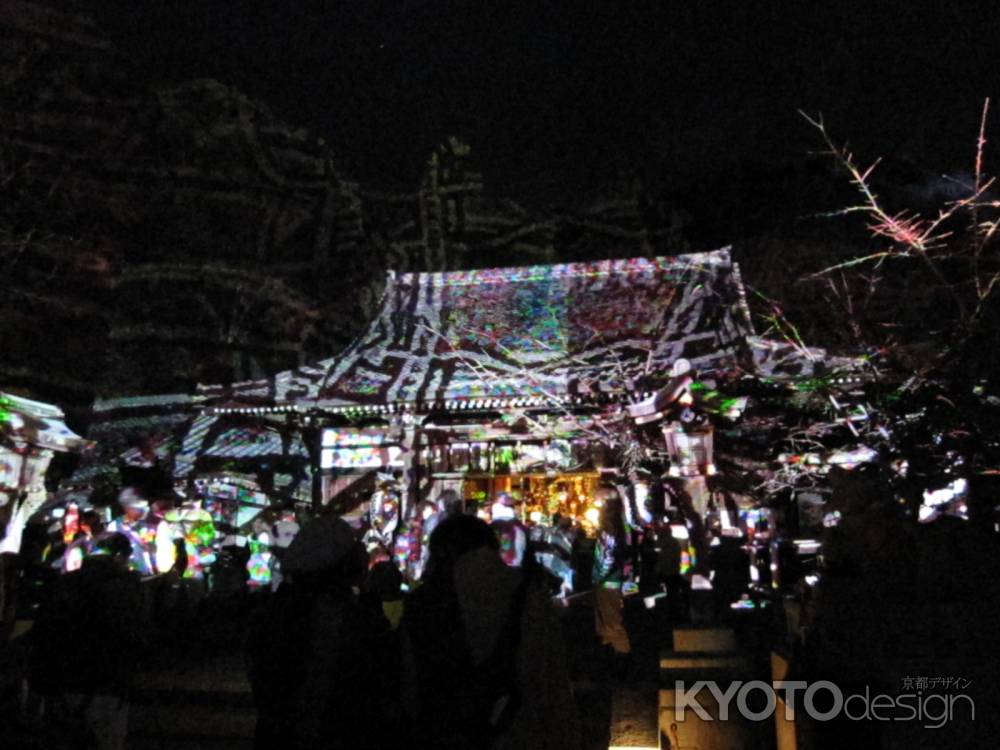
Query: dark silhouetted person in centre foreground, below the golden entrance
point(484, 663)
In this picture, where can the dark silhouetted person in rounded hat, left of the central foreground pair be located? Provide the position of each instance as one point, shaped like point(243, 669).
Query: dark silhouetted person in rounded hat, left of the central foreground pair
point(315, 657)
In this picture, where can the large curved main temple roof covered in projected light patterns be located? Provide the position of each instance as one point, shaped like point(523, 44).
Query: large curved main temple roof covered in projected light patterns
point(551, 331)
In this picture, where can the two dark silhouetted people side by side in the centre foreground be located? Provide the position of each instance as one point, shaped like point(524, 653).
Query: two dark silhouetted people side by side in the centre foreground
point(472, 658)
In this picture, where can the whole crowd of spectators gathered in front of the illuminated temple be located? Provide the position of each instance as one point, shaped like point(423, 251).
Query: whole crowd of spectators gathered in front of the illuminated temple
point(439, 628)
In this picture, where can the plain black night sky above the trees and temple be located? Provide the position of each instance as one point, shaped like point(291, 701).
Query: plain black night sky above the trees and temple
point(552, 95)
